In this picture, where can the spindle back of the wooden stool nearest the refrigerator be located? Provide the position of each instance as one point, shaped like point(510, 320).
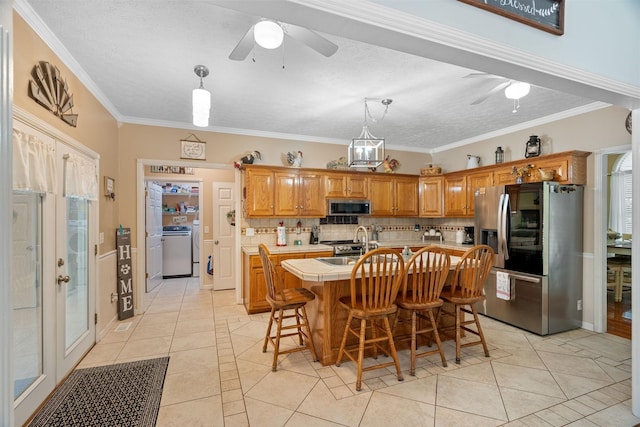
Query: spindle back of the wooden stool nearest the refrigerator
point(472, 271)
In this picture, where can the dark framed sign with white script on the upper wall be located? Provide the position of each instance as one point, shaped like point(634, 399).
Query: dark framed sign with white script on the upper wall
point(546, 15)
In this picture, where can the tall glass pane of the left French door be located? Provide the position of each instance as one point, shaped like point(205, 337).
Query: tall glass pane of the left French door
point(26, 287)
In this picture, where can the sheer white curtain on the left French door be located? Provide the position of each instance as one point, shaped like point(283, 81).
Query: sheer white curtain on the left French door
point(34, 163)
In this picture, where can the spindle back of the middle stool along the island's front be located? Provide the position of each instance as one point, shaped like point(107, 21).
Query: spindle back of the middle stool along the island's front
point(425, 275)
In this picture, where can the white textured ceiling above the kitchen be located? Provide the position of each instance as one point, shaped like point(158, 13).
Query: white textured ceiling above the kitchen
point(139, 57)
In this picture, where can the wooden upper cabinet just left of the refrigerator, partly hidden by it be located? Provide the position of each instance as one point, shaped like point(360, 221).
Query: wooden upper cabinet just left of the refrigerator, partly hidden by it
point(459, 189)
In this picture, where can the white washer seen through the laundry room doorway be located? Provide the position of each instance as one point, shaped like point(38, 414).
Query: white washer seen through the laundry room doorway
point(176, 251)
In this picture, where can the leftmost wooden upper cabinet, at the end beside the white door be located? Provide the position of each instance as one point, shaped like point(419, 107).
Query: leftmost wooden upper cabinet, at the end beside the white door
point(259, 193)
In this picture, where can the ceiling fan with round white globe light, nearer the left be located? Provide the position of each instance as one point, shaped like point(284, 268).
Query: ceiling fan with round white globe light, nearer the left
point(270, 35)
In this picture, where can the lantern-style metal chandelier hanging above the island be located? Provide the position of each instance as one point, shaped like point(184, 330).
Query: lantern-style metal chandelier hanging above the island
point(367, 151)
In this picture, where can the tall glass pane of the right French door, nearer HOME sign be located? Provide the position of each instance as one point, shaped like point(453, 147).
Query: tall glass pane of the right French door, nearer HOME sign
point(76, 296)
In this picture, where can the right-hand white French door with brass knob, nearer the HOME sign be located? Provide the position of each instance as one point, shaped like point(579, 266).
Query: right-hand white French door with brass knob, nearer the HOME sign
point(75, 271)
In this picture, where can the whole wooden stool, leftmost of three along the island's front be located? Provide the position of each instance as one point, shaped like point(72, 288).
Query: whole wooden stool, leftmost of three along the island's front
point(375, 282)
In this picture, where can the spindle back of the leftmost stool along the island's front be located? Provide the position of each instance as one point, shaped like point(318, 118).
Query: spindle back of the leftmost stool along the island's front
point(376, 279)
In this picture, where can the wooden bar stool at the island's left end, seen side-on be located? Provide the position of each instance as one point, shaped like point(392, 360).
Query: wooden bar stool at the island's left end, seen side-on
point(285, 304)
